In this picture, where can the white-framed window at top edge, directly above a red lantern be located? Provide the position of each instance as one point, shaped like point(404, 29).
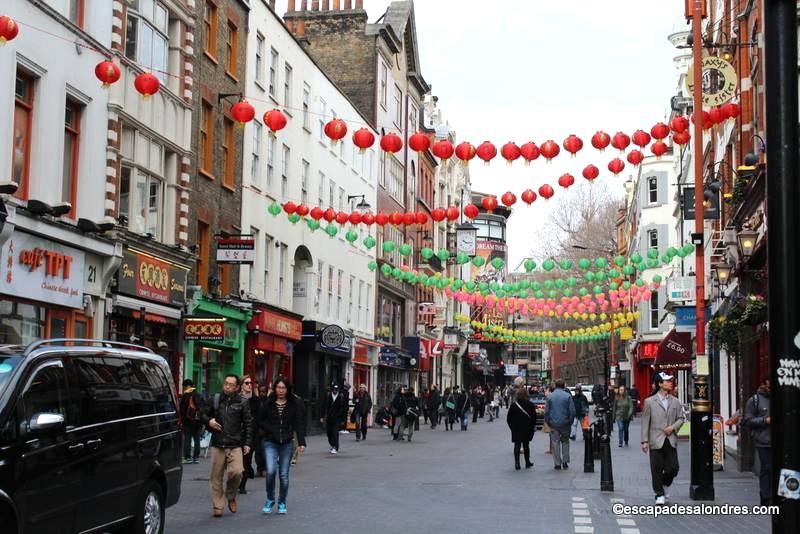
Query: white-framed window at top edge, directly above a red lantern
point(146, 40)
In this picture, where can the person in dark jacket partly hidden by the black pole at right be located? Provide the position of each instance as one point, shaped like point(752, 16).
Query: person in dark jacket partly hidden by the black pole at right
point(757, 421)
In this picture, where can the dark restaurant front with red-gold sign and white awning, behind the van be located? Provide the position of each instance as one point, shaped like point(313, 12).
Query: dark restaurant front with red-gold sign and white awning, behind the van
point(148, 302)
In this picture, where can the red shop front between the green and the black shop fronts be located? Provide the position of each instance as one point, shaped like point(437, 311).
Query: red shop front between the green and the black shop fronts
point(272, 334)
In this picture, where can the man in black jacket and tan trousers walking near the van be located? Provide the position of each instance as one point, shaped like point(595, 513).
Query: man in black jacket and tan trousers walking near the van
point(227, 415)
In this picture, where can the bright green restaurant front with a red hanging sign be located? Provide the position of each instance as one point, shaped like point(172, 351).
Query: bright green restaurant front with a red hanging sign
point(213, 352)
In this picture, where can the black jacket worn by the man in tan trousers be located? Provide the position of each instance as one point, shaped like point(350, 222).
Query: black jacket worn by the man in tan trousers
point(233, 414)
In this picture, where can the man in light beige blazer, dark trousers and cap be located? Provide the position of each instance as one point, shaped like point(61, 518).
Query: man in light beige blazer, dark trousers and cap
point(662, 418)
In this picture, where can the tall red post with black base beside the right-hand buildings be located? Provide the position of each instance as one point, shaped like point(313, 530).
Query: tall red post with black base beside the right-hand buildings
point(702, 475)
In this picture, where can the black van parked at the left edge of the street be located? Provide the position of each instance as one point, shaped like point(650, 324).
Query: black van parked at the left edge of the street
point(89, 438)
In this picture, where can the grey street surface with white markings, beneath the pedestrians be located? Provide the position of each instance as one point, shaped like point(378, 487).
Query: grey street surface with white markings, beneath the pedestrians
point(461, 482)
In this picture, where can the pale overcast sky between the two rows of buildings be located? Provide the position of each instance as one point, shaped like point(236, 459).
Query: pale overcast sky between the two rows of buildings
point(522, 70)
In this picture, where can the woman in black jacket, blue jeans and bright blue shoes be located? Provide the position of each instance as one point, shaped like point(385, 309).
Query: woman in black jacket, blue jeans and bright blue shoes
point(280, 418)
